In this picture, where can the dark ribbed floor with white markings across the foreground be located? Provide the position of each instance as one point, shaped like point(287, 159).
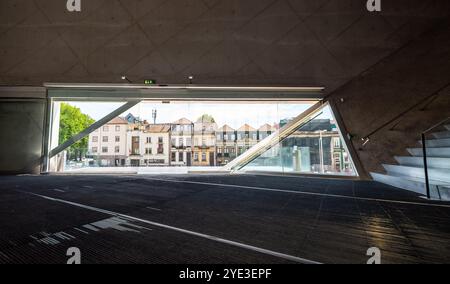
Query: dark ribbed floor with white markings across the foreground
point(322, 220)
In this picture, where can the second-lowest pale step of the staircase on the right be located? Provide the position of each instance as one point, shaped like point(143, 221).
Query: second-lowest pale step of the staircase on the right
point(441, 175)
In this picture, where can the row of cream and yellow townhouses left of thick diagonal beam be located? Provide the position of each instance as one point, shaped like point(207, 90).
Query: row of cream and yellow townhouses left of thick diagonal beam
point(131, 142)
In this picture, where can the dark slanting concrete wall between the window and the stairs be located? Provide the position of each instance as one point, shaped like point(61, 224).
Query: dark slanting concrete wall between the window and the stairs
point(398, 98)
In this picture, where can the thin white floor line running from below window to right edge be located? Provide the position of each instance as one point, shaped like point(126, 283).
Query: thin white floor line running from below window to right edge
point(301, 192)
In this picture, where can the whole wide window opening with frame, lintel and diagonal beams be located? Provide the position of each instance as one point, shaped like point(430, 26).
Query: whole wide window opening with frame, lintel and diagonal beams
point(184, 129)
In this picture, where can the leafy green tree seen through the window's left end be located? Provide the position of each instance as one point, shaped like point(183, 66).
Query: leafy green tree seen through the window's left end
point(73, 121)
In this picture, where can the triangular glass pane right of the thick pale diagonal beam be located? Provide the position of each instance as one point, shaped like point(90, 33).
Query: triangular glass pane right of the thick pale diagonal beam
point(313, 148)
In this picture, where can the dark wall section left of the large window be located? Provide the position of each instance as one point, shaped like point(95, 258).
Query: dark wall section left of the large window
point(21, 124)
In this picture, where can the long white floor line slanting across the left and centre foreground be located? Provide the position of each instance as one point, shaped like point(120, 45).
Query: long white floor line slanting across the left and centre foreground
point(205, 236)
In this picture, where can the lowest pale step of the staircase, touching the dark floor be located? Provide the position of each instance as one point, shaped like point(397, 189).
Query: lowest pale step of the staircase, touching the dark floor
point(414, 185)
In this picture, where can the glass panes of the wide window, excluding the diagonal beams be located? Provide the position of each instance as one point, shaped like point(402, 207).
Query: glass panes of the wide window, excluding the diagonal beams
point(157, 137)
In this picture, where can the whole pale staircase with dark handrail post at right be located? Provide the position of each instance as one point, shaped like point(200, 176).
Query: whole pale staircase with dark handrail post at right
point(409, 174)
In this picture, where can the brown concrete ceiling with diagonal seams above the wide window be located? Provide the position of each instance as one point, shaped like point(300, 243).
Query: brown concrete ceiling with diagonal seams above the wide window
point(263, 42)
